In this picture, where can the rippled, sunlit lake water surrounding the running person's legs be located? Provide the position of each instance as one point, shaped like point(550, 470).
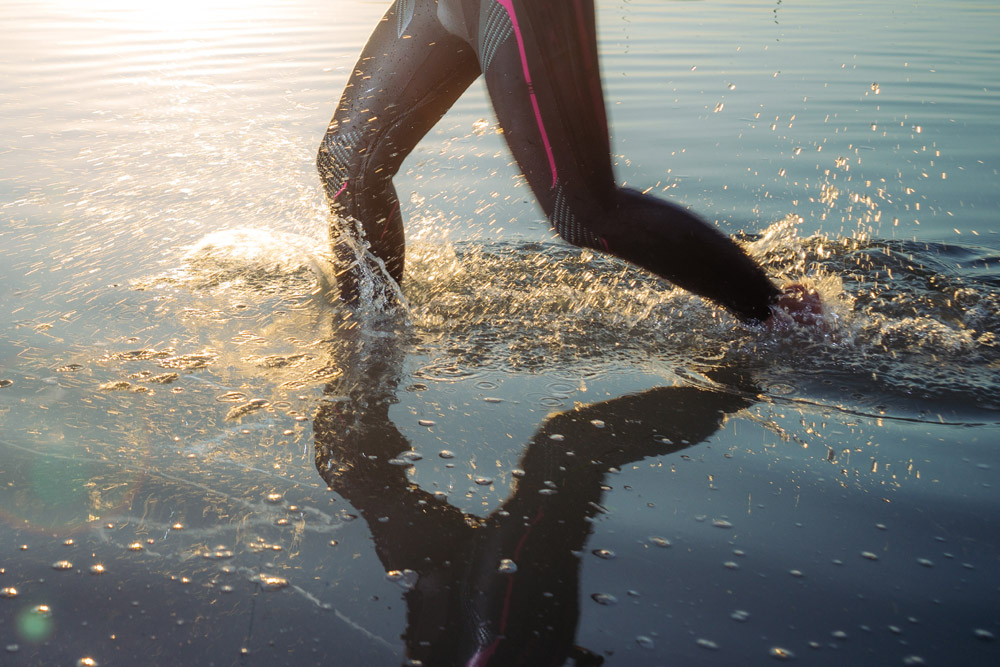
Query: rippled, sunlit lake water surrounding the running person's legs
point(203, 461)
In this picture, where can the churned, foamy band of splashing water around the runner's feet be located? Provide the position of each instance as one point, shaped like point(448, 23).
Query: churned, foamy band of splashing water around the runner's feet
point(904, 322)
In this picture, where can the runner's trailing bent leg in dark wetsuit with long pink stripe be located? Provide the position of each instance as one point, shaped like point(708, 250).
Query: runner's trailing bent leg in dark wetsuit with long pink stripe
point(545, 84)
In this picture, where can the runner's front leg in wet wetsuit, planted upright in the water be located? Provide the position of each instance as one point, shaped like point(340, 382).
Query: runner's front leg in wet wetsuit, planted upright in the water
point(399, 89)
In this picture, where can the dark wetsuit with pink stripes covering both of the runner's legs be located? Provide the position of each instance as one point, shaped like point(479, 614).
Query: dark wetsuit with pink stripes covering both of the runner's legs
point(540, 63)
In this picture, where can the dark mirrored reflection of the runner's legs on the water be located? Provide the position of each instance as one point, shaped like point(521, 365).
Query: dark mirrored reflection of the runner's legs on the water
point(462, 609)
